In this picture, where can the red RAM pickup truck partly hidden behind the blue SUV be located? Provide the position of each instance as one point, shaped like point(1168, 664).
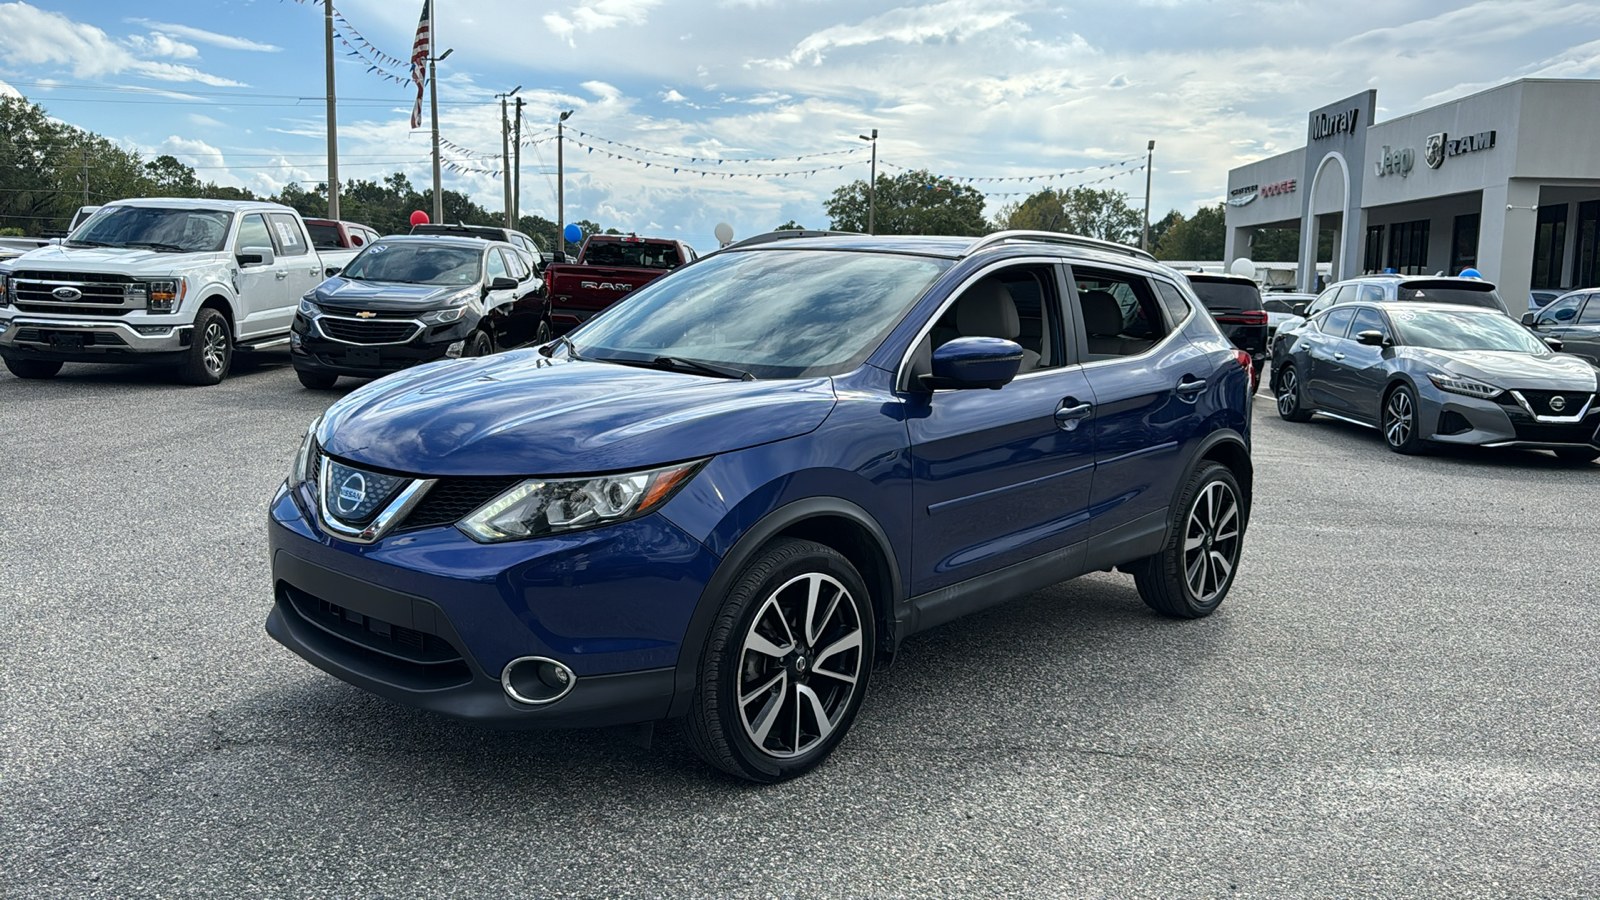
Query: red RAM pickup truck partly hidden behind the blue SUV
point(609, 268)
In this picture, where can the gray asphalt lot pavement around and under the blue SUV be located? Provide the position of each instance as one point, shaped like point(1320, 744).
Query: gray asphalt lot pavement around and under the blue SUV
point(1399, 699)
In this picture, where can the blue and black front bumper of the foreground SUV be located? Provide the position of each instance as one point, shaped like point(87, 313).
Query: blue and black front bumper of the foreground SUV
point(431, 619)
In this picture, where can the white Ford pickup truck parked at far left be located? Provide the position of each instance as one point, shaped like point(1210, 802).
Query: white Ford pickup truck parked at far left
point(178, 283)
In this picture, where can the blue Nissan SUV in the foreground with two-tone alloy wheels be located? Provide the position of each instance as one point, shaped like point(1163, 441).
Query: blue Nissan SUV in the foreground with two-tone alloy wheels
point(732, 494)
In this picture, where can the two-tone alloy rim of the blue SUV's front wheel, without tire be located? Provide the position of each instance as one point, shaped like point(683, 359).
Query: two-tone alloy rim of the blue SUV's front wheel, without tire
point(799, 665)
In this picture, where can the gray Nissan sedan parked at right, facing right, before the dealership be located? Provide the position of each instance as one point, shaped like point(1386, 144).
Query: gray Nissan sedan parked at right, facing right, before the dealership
point(1439, 374)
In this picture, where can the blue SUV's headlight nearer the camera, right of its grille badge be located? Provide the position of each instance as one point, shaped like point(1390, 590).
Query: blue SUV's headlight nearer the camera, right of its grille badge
point(538, 507)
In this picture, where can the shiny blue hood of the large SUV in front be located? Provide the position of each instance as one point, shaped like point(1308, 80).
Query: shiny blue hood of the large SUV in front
point(519, 414)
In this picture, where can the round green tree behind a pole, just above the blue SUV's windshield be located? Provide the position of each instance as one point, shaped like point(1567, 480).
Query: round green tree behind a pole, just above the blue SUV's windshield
point(914, 203)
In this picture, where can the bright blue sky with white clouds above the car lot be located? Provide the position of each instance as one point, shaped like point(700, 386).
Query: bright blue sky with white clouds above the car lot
point(986, 90)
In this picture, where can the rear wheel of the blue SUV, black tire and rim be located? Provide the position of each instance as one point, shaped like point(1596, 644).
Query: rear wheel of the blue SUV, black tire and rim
point(1196, 569)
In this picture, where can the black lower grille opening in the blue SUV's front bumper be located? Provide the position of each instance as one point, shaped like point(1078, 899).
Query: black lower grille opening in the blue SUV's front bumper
point(418, 659)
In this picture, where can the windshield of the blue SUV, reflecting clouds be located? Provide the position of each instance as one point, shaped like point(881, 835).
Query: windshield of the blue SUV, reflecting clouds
point(772, 313)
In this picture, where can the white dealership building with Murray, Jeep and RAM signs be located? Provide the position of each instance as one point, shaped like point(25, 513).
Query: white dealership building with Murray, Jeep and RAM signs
point(1505, 182)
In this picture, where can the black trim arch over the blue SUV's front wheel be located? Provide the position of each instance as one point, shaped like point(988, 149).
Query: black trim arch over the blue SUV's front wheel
point(831, 521)
